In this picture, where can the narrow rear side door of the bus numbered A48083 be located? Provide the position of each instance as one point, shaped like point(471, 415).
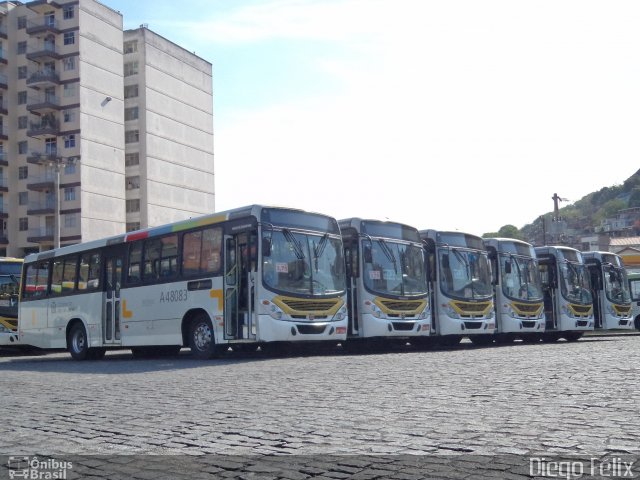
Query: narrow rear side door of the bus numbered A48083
point(113, 272)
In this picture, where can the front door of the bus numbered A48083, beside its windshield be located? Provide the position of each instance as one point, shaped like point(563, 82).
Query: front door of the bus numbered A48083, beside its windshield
point(239, 286)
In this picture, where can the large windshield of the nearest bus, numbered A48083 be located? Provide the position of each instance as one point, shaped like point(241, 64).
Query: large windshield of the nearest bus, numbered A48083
point(303, 263)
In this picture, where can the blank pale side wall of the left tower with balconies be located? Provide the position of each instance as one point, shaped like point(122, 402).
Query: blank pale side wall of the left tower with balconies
point(101, 122)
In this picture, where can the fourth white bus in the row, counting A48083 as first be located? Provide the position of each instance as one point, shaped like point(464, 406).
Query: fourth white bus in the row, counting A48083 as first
point(517, 289)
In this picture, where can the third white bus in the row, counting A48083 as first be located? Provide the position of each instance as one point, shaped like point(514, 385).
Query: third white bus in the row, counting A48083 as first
point(459, 276)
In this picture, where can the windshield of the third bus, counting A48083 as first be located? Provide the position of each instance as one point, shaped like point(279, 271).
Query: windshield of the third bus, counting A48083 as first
point(465, 274)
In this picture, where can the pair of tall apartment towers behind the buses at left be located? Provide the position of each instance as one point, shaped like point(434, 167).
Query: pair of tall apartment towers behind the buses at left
point(101, 130)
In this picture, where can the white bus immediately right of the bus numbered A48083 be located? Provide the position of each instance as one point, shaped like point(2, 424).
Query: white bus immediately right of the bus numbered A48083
point(387, 290)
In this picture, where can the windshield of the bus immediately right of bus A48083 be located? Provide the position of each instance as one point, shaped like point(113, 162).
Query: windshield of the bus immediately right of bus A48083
point(392, 268)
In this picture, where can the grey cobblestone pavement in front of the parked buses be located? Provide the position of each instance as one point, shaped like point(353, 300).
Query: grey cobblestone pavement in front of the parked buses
point(342, 415)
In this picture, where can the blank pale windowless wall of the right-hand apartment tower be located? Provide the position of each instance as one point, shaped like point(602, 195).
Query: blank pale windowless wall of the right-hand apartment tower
point(176, 134)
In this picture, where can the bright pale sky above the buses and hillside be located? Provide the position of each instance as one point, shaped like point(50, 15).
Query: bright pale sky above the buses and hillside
point(451, 114)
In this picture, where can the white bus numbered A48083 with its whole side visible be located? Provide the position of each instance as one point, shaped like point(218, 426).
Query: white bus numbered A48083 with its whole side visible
point(241, 278)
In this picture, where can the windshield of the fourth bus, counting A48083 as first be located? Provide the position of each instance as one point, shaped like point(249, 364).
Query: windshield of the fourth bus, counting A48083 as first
point(520, 278)
